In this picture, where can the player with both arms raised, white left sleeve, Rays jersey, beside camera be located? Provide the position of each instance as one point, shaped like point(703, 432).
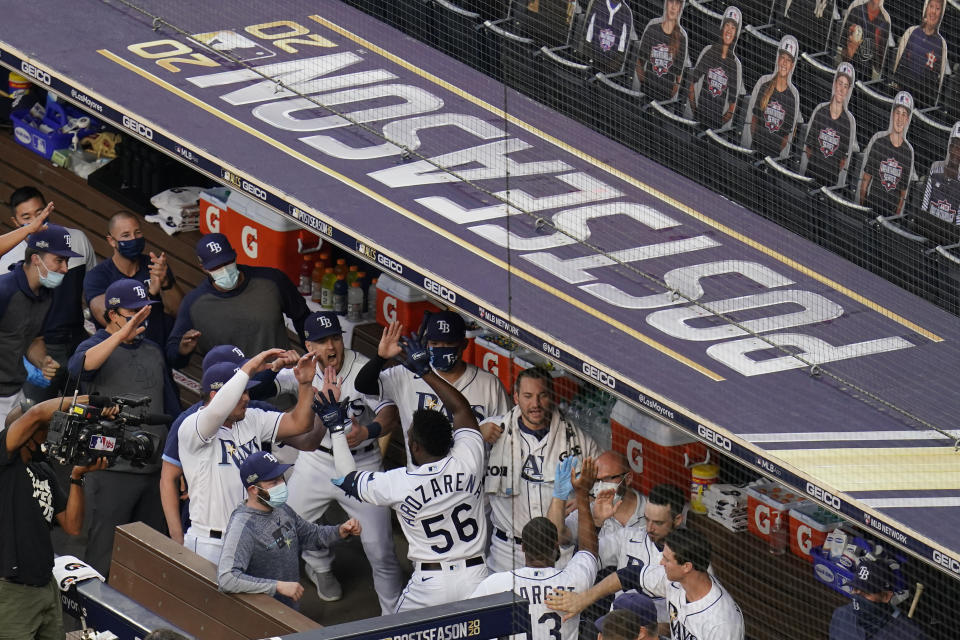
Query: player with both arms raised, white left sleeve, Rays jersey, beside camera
point(216, 440)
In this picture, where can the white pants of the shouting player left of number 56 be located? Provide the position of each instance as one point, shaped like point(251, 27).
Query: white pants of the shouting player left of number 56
point(311, 493)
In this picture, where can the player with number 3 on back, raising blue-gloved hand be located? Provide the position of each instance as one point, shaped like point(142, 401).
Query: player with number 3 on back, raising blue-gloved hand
point(541, 548)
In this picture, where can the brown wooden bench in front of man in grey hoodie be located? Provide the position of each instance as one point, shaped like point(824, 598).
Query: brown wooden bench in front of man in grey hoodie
point(181, 587)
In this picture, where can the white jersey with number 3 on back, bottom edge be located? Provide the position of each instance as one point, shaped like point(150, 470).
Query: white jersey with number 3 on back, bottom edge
point(535, 584)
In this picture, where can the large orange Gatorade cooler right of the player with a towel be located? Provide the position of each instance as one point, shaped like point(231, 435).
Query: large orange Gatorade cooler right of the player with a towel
point(657, 452)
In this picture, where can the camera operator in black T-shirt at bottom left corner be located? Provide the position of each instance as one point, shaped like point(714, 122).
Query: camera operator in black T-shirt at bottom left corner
point(32, 501)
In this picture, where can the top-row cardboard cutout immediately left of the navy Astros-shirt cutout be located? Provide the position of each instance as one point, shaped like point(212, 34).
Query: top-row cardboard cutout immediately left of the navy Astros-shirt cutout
point(864, 37)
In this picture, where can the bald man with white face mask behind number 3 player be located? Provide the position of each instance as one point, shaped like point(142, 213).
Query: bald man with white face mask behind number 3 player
point(615, 504)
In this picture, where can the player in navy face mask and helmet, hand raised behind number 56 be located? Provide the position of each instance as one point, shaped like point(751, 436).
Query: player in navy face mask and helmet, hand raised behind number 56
point(444, 336)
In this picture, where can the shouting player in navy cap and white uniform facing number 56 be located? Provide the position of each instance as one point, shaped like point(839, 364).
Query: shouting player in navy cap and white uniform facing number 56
point(310, 494)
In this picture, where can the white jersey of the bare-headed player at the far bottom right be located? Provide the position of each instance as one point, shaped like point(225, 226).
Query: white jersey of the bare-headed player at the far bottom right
point(714, 617)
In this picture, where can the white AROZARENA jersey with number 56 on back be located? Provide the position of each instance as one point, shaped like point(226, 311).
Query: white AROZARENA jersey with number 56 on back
point(440, 504)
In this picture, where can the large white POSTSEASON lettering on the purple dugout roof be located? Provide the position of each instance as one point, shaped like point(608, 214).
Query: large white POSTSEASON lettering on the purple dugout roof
point(554, 183)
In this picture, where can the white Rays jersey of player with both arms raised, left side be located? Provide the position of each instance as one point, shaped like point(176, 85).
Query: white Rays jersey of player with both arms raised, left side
point(212, 467)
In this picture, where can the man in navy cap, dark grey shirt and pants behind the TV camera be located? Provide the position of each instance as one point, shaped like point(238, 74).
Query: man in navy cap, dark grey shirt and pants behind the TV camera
point(117, 361)
